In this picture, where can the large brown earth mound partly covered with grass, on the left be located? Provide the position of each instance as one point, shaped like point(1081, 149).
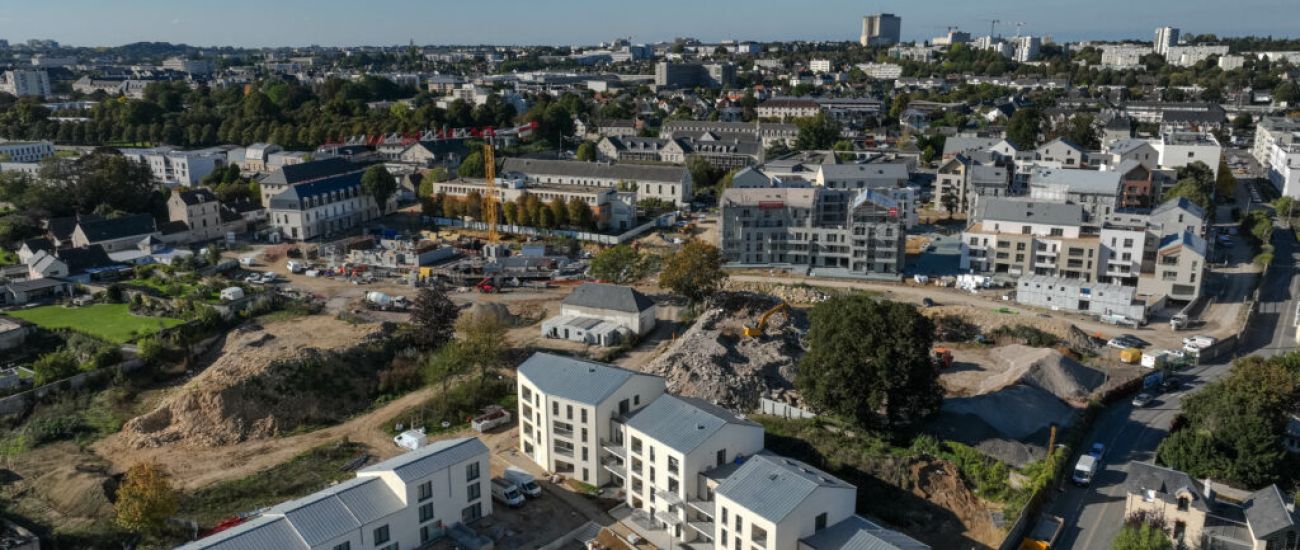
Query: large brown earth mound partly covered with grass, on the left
point(265, 382)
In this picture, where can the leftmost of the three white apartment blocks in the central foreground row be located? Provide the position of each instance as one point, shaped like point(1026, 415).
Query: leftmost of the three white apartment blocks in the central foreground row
point(571, 410)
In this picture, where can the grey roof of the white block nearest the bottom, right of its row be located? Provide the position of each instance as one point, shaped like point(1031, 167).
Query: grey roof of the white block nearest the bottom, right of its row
point(773, 487)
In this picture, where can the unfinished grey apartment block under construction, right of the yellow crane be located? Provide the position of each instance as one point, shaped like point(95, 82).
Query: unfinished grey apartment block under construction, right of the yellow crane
point(814, 231)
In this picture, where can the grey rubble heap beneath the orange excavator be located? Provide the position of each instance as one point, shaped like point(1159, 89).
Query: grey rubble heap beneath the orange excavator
point(714, 361)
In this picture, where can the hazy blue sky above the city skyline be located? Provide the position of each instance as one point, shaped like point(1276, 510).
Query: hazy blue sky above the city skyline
point(383, 23)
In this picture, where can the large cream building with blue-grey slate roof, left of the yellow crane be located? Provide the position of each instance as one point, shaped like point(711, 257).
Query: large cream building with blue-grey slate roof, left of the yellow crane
point(328, 207)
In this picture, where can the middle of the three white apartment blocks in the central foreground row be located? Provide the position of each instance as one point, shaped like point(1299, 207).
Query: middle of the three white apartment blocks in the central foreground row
point(668, 454)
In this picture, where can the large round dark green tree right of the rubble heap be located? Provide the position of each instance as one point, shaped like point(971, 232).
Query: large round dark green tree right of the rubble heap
point(869, 362)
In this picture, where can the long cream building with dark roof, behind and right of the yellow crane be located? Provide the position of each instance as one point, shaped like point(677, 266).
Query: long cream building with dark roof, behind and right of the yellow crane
point(670, 184)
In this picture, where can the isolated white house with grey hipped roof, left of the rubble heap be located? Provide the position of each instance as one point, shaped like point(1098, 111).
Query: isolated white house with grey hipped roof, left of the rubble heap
point(604, 315)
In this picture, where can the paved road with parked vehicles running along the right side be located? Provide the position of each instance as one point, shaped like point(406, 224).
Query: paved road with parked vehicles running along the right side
point(1095, 516)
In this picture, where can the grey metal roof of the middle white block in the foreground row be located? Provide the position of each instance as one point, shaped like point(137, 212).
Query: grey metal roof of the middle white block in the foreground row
point(683, 423)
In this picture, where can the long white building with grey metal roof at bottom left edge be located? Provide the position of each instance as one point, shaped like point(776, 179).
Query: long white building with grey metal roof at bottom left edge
point(405, 503)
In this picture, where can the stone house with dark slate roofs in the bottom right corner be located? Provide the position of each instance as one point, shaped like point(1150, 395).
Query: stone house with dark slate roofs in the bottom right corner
point(1210, 516)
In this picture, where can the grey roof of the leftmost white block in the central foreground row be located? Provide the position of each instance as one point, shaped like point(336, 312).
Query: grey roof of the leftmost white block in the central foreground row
point(574, 379)
